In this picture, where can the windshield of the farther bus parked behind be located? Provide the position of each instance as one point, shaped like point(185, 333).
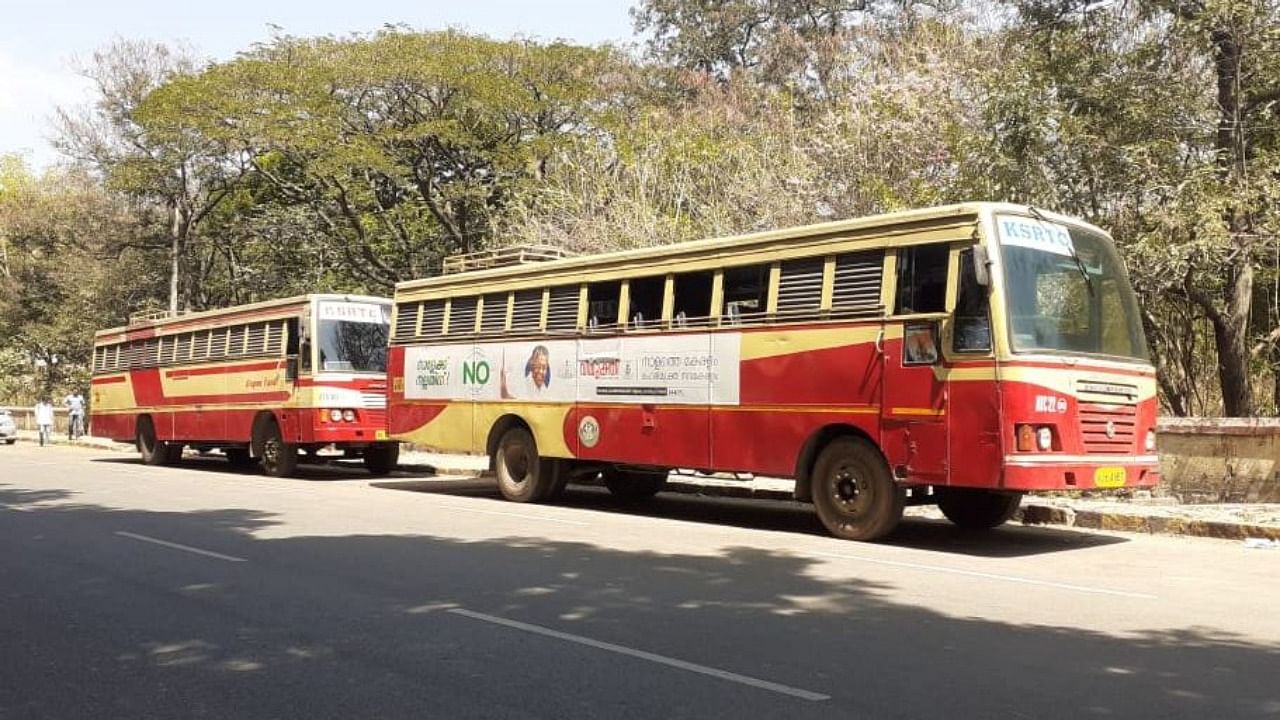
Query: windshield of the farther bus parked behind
point(353, 338)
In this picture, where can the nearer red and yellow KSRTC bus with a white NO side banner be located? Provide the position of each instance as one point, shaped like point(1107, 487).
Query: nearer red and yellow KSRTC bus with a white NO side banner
point(959, 356)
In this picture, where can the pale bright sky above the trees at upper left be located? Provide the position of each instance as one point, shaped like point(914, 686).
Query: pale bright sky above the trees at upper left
point(42, 42)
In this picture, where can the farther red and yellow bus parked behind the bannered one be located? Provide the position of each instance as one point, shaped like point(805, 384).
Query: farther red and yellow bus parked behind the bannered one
point(259, 382)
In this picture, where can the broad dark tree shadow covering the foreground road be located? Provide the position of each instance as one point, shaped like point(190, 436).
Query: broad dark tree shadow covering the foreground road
point(369, 626)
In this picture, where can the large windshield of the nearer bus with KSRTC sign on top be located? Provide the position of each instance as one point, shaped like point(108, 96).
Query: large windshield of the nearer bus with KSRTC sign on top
point(1067, 291)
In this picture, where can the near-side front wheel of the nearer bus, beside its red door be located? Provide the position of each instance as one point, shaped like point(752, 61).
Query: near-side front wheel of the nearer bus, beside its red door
point(853, 491)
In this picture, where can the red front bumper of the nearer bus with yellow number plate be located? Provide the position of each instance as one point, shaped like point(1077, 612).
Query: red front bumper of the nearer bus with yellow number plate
point(1049, 472)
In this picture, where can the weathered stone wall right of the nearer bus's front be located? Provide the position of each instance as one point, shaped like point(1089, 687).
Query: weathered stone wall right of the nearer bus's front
point(1220, 459)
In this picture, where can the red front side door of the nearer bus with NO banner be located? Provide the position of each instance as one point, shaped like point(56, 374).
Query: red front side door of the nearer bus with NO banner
point(915, 402)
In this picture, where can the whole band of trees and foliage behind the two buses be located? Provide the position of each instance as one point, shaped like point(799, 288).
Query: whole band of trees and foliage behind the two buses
point(351, 163)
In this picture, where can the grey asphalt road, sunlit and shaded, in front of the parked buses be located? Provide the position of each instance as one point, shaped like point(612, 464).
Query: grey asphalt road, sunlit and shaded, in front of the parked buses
point(136, 593)
